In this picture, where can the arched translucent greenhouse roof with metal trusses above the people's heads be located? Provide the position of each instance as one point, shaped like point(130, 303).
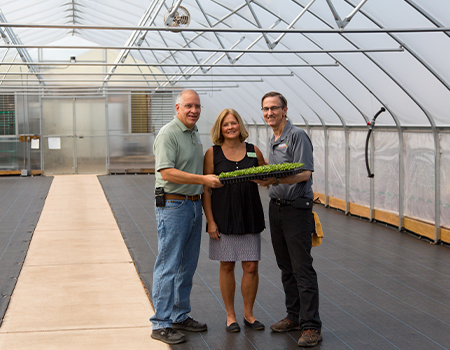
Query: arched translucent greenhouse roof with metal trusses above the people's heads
point(337, 61)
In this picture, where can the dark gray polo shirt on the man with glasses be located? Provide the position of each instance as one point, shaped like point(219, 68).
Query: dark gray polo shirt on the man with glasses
point(293, 145)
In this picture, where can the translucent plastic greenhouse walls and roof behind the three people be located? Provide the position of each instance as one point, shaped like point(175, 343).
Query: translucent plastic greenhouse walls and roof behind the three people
point(338, 62)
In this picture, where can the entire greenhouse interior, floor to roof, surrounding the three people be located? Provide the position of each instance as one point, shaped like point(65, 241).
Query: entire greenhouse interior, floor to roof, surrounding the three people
point(85, 87)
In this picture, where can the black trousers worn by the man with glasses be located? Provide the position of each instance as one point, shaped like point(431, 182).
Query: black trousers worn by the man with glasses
point(291, 230)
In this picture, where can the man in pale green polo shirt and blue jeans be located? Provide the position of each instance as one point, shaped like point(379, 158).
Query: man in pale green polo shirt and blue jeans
point(179, 184)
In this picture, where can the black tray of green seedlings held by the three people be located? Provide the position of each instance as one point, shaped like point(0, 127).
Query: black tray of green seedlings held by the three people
point(261, 172)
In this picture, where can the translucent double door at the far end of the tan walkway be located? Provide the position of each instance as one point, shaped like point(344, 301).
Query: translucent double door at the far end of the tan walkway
point(74, 136)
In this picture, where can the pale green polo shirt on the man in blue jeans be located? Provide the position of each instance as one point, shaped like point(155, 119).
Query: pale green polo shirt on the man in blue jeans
point(176, 146)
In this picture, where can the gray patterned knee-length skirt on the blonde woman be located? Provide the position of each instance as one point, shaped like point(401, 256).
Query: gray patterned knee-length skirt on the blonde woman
point(236, 247)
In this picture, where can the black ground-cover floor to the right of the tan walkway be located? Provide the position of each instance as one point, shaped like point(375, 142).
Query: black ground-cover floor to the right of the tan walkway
point(379, 288)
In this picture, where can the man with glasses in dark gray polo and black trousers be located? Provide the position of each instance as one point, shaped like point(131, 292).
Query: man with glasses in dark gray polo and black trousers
point(292, 222)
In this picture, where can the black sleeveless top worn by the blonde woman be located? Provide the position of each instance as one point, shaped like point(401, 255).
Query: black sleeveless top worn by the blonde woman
point(237, 207)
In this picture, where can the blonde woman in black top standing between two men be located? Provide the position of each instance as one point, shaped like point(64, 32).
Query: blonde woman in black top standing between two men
point(234, 215)
